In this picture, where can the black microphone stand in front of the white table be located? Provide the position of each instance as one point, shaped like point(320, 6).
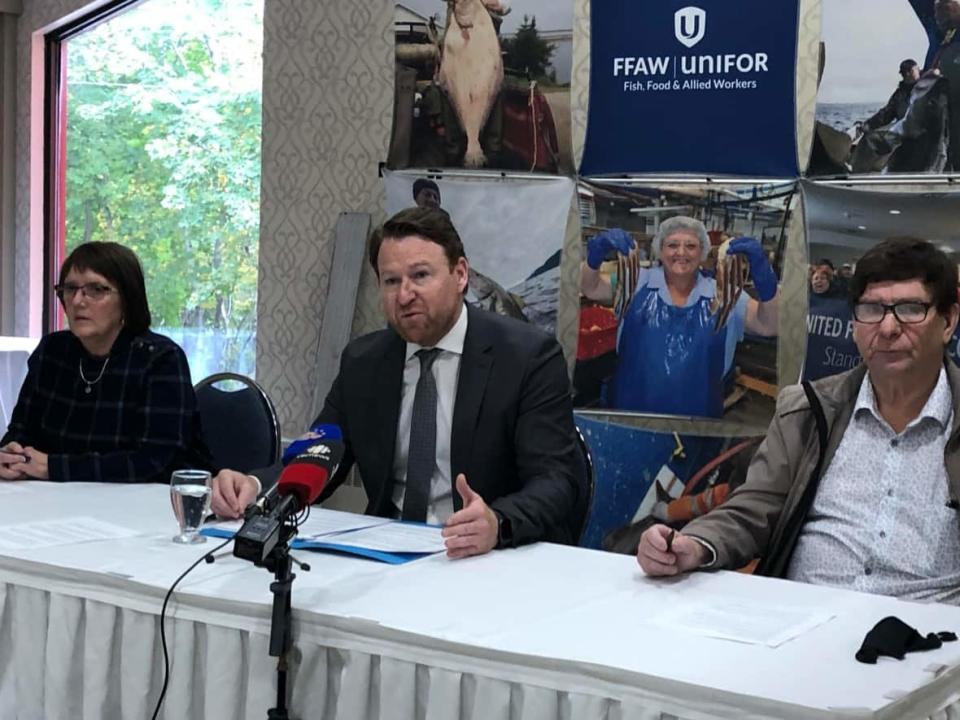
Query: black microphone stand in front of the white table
point(280, 562)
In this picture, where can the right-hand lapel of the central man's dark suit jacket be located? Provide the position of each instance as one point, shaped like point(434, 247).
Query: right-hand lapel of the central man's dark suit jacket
point(475, 365)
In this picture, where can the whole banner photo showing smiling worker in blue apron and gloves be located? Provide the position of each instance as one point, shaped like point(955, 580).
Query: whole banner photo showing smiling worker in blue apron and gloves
point(662, 334)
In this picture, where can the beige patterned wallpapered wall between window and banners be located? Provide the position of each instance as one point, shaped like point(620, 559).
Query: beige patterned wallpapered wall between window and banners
point(327, 100)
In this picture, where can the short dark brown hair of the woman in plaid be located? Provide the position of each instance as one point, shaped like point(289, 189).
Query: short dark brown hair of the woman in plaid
point(120, 266)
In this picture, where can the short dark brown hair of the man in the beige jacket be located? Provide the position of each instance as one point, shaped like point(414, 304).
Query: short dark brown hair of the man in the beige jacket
point(908, 258)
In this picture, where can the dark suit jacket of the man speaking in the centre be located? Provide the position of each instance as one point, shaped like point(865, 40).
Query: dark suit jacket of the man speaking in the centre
point(513, 431)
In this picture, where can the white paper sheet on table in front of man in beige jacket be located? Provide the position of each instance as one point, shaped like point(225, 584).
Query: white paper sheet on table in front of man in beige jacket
point(744, 622)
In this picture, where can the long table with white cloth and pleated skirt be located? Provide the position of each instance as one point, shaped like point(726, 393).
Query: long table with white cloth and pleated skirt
point(538, 633)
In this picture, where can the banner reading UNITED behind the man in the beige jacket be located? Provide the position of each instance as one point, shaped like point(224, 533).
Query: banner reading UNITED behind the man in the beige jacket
point(841, 225)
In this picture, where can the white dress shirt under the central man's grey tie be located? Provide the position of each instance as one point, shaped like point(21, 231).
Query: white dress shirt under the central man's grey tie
point(446, 371)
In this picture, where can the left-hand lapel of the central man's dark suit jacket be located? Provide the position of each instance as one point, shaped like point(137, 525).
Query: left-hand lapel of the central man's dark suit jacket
point(388, 374)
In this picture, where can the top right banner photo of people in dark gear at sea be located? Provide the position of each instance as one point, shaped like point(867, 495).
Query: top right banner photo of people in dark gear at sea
point(856, 131)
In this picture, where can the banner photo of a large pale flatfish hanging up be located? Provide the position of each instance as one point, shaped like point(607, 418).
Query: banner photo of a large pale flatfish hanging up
point(480, 85)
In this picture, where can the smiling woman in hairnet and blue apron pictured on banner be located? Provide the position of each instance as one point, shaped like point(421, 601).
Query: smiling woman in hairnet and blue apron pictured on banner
point(678, 328)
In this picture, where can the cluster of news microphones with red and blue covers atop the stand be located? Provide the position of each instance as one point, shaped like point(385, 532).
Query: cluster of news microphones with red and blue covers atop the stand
point(299, 485)
